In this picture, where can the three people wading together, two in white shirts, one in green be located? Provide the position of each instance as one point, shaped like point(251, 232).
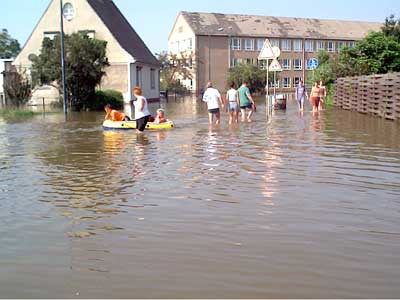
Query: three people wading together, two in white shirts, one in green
point(237, 100)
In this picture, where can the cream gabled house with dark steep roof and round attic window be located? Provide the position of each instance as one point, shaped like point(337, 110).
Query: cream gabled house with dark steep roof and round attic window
point(131, 62)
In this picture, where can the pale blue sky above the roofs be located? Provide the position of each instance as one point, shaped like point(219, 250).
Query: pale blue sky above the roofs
point(154, 19)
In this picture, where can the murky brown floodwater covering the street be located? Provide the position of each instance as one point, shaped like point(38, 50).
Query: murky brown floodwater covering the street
point(289, 206)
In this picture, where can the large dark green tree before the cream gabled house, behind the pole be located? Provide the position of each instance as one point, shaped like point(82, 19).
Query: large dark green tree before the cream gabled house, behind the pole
point(85, 63)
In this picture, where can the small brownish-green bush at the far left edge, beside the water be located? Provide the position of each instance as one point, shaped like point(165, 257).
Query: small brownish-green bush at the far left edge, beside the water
point(17, 87)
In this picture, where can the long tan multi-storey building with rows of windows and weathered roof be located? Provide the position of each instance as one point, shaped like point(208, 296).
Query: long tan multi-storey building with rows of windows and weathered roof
point(218, 42)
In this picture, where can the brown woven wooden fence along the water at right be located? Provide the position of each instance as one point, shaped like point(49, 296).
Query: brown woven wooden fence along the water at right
point(378, 95)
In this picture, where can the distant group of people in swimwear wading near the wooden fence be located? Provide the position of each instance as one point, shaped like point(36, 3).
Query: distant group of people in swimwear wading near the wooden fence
point(317, 97)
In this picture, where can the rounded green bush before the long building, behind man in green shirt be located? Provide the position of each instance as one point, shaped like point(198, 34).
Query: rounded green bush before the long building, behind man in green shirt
point(247, 72)
